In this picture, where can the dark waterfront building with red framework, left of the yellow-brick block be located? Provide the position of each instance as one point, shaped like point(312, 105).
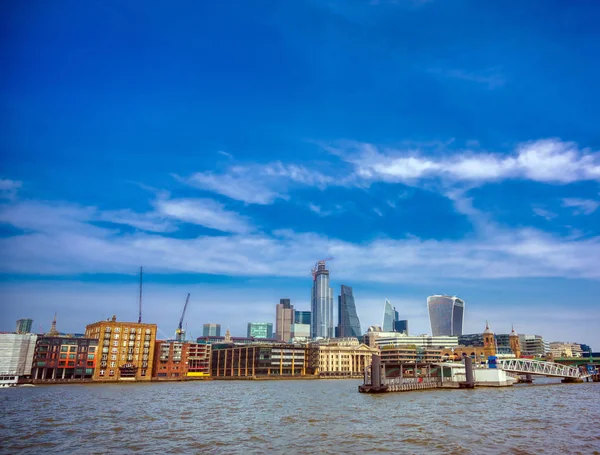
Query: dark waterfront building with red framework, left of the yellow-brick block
point(61, 358)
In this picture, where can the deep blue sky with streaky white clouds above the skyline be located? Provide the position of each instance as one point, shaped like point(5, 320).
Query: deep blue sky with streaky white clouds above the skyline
point(428, 146)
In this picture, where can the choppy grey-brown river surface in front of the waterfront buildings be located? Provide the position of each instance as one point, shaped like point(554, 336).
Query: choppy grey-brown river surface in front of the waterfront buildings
point(309, 416)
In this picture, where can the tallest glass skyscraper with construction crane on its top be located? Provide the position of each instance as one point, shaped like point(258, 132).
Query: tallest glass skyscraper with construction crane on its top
point(321, 325)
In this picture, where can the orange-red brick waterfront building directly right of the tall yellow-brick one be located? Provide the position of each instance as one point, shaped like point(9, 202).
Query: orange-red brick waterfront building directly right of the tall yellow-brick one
point(177, 360)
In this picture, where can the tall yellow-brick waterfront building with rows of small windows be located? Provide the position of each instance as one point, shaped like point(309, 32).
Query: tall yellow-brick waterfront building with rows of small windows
point(126, 350)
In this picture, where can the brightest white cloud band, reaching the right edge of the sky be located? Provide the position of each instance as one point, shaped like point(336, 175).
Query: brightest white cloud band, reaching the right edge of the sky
point(548, 161)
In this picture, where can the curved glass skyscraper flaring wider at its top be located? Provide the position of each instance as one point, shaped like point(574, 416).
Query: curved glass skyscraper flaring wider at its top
point(446, 315)
